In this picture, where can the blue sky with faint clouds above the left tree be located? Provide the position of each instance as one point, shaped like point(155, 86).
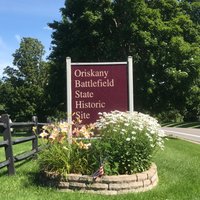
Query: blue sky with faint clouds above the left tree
point(25, 18)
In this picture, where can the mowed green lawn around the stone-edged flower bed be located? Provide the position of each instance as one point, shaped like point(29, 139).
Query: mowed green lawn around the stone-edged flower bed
point(178, 170)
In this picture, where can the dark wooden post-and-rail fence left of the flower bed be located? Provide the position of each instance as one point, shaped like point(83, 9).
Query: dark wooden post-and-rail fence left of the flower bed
point(8, 142)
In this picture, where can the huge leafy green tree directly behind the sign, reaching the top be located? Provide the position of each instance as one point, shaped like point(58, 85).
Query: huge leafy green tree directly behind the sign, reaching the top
point(162, 36)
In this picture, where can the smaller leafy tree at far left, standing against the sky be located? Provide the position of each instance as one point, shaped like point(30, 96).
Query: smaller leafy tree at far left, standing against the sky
point(23, 87)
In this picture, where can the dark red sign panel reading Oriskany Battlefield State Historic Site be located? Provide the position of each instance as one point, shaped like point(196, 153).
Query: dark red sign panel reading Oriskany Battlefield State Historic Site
point(98, 88)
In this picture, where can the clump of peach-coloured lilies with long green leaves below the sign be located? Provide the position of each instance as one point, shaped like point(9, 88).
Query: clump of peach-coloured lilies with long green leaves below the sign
point(63, 154)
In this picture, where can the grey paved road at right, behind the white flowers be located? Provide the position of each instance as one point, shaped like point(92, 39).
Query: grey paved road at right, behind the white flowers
point(184, 133)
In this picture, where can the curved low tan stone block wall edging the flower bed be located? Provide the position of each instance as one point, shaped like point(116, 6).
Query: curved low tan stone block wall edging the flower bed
point(108, 185)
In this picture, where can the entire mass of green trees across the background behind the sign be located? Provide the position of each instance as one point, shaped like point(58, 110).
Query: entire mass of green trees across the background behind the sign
point(163, 37)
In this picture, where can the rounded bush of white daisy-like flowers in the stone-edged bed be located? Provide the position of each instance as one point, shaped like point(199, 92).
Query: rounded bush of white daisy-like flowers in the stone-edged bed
point(128, 140)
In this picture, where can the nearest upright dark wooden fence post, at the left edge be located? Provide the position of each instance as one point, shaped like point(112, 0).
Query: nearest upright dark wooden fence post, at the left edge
point(8, 149)
